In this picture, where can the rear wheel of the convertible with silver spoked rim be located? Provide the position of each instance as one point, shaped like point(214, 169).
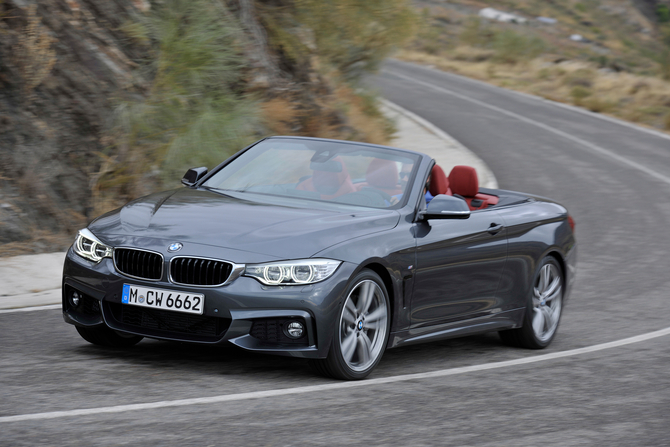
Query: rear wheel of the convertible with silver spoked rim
point(543, 309)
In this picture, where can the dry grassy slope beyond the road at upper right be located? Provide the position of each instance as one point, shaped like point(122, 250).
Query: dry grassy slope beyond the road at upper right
point(607, 56)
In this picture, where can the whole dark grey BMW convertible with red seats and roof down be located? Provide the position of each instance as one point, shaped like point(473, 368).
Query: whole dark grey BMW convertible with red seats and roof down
point(328, 250)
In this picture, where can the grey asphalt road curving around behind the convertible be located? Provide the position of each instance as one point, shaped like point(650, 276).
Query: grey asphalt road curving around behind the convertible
point(614, 179)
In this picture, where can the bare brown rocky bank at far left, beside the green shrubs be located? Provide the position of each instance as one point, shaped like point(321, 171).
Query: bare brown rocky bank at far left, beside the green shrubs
point(61, 63)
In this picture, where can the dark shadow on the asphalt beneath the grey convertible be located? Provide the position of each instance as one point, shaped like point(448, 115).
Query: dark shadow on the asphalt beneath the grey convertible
point(231, 361)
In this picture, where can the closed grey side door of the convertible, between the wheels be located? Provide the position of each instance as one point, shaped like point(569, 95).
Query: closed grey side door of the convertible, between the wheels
point(459, 264)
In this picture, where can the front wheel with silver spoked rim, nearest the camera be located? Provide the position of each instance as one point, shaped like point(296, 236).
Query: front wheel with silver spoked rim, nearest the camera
point(362, 330)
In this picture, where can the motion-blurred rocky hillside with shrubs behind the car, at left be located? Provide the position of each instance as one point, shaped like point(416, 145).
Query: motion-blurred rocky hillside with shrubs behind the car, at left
point(102, 101)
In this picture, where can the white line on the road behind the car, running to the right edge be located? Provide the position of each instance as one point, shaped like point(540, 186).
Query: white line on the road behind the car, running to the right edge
point(593, 147)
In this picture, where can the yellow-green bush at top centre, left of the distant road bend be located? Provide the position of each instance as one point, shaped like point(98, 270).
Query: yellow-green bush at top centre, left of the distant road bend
point(351, 36)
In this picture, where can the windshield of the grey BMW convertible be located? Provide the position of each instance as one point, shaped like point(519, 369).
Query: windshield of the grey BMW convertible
point(318, 170)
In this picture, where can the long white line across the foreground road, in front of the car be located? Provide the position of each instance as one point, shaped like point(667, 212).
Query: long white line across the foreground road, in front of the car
point(335, 385)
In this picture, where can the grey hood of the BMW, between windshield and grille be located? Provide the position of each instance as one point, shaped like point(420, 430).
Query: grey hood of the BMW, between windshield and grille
point(207, 218)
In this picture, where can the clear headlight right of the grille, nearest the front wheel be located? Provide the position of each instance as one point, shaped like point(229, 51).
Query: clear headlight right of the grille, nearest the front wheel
point(305, 271)
